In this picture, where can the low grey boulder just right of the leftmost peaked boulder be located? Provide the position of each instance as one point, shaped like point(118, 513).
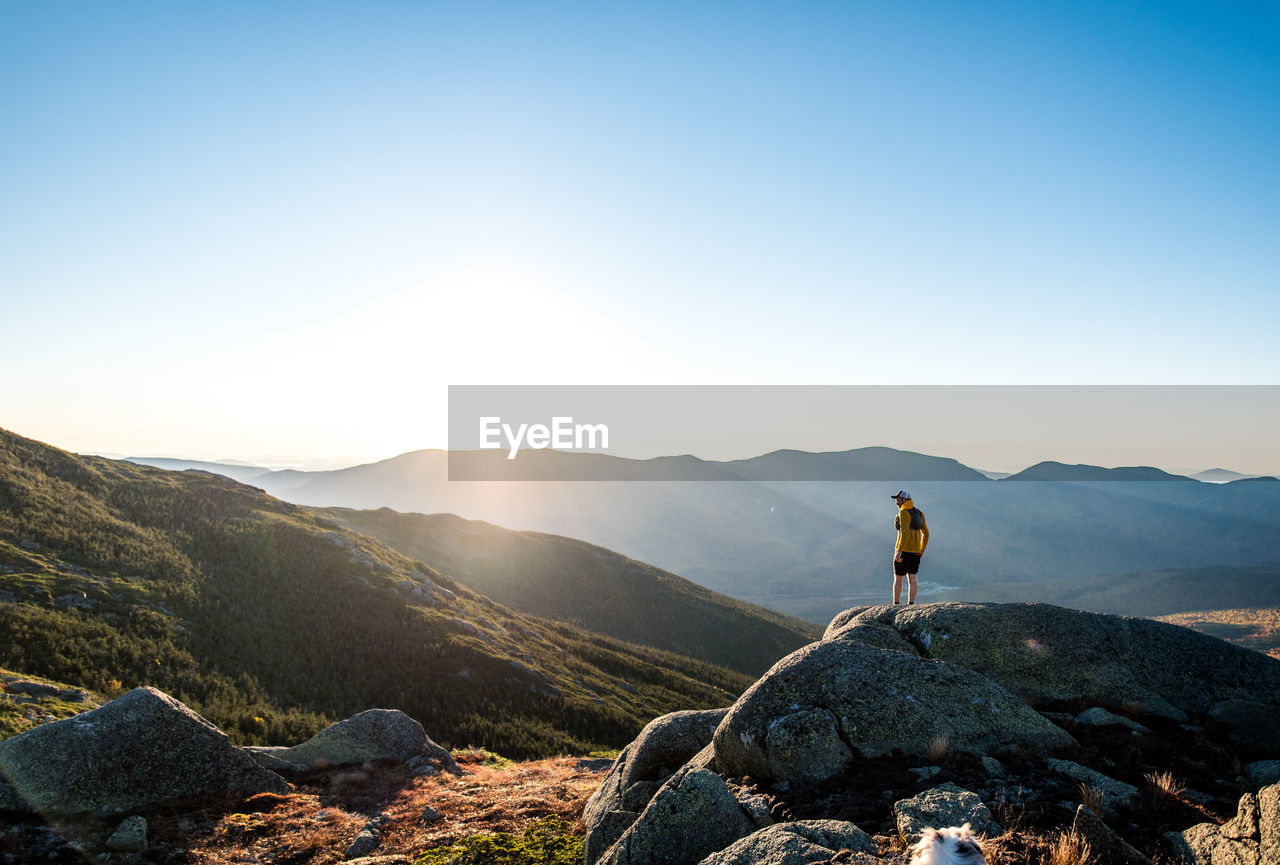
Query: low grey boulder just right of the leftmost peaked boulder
point(373, 735)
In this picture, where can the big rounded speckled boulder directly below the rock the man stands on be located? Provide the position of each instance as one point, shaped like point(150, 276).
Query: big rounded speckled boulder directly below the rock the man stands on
point(808, 716)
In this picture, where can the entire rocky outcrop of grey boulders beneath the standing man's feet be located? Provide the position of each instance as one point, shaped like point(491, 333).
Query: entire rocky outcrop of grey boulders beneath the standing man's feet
point(908, 718)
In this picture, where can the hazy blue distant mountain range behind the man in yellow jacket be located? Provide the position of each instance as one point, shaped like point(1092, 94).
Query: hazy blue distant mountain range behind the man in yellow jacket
point(811, 534)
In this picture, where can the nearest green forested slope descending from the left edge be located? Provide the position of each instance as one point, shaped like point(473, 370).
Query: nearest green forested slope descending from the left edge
point(273, 620)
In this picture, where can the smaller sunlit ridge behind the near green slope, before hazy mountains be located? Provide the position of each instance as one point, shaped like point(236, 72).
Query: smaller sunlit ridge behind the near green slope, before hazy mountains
point(574, 582)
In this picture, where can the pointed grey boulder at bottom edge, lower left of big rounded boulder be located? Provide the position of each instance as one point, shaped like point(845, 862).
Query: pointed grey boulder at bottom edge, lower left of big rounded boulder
point(692, 817)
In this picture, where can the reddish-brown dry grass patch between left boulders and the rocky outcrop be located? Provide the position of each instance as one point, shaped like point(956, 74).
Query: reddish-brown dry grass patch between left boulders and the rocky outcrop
point(316, 825)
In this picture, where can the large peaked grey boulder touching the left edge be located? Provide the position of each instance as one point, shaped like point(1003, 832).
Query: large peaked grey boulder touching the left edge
point(139, 750)
